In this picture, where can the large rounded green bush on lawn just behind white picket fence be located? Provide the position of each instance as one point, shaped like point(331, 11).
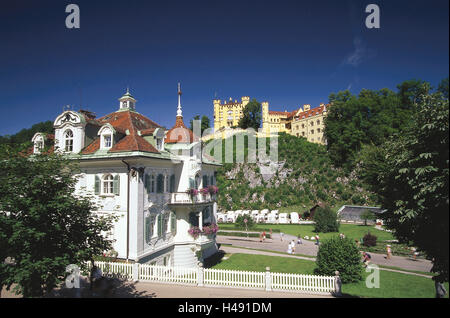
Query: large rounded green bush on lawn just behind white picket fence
point(339, 254)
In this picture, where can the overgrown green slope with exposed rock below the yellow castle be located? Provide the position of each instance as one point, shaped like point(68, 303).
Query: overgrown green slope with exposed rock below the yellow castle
point(312, 179)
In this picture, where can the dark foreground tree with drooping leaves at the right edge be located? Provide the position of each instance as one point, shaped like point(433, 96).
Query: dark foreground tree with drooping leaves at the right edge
point(413, 181)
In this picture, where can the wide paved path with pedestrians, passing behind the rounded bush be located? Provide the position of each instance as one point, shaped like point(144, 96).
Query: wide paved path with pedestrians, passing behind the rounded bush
point(309, 248)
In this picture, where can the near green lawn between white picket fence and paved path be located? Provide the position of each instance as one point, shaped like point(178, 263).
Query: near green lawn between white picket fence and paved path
point(392, 285)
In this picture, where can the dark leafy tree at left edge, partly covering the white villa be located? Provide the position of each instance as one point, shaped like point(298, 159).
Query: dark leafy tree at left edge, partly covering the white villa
point(44, 226)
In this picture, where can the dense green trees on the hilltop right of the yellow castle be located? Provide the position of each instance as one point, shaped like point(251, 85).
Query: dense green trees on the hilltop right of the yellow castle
point(367, 119)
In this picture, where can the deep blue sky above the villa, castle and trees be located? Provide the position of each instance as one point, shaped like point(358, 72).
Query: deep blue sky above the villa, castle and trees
point(289, 53)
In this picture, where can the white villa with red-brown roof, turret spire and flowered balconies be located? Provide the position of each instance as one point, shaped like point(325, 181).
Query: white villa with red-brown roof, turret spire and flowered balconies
point(139, 171)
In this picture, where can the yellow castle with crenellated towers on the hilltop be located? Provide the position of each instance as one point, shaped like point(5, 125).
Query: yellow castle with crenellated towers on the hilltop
point(304, 122)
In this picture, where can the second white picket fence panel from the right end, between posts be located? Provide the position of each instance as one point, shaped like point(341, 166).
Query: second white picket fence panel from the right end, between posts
point(231, 278)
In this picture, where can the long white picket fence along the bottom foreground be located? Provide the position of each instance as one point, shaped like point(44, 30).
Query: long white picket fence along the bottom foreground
point(198, 276)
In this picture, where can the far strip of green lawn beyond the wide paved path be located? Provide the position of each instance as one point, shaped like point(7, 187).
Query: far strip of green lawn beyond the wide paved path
point(352, 231)
